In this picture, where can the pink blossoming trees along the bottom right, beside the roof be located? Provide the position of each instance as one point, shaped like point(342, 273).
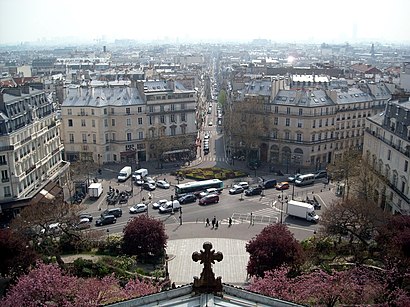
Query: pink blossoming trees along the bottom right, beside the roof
point(355, 286)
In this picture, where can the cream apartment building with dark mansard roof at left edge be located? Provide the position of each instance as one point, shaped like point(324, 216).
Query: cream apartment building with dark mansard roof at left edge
point(30, 147)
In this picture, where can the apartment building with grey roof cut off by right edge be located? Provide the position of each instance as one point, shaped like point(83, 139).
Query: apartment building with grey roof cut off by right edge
point(387, 149)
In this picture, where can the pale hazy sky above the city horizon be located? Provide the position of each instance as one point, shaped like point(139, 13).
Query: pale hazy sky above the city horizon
point(278, 20)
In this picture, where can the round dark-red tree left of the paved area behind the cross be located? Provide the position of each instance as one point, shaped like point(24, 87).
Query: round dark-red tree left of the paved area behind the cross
point(144, 236)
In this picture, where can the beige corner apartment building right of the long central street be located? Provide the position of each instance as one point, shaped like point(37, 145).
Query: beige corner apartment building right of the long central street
point(313, 126)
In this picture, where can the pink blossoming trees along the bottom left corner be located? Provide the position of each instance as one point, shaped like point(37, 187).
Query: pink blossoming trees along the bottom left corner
point(48, 285)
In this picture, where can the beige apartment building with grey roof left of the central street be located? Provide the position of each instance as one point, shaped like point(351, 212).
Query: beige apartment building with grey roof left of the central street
point(121, 124)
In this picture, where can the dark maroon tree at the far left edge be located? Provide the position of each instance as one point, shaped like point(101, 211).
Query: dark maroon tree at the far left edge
point(16, 254)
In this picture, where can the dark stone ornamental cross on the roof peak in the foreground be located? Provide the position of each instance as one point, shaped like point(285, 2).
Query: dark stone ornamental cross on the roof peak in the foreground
point(207, 282)
